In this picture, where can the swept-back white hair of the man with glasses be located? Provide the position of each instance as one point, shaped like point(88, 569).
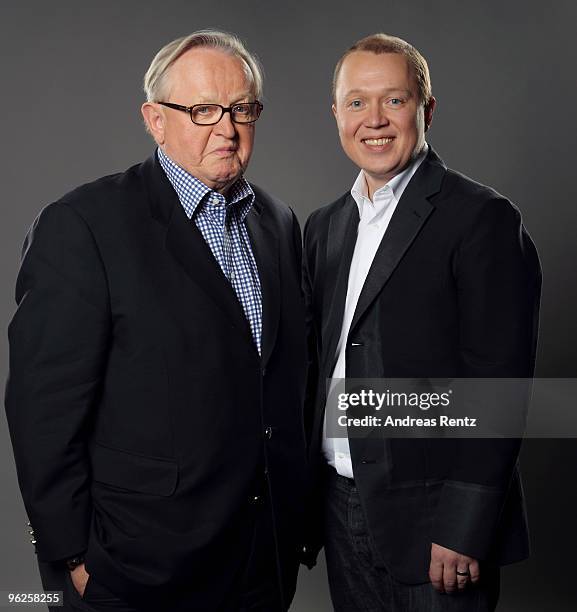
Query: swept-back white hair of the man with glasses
point(156, 75)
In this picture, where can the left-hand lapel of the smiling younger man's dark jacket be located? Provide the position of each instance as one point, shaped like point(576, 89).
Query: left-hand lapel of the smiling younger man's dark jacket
point(342, 235)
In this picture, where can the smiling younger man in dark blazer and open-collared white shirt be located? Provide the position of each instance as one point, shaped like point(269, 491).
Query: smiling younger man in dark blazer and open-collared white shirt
point(417, 272)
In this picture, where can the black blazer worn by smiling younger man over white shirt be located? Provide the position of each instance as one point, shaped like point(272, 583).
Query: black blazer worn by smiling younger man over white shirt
point(453, 292)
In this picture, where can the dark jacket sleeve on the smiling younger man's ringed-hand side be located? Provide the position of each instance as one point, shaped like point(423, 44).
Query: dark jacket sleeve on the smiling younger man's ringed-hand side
point(498, 280)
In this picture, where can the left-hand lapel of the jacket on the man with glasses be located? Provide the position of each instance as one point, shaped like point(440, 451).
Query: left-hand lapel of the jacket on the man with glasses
point(186, 244)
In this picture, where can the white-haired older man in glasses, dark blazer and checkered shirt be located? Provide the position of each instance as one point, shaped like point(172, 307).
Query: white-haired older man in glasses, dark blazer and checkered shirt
point(157, 362)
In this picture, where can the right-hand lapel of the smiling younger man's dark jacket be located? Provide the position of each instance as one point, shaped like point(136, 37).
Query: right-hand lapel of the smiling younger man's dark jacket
point(409, 217)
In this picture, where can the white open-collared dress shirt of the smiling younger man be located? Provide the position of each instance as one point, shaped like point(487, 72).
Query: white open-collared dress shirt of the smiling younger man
point(374, 217)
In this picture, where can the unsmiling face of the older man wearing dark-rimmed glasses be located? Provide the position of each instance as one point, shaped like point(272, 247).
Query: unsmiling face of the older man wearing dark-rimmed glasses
point(216, 154)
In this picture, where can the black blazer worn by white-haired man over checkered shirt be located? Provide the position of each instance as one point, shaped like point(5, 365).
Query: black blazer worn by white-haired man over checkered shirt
point(142, 417)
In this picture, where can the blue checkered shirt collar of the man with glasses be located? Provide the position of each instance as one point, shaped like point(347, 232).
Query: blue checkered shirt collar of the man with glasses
point(191, 191)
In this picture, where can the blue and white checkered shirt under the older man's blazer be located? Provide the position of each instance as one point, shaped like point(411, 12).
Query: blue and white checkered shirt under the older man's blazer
point(221, 221)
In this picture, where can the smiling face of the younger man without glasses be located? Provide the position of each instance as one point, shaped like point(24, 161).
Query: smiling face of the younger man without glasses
point(380, 120)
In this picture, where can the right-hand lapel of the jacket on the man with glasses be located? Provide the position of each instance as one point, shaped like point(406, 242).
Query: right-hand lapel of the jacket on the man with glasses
point(265, 248)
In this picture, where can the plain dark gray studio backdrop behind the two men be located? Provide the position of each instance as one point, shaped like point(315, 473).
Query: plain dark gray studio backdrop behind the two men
point(504, 78)
